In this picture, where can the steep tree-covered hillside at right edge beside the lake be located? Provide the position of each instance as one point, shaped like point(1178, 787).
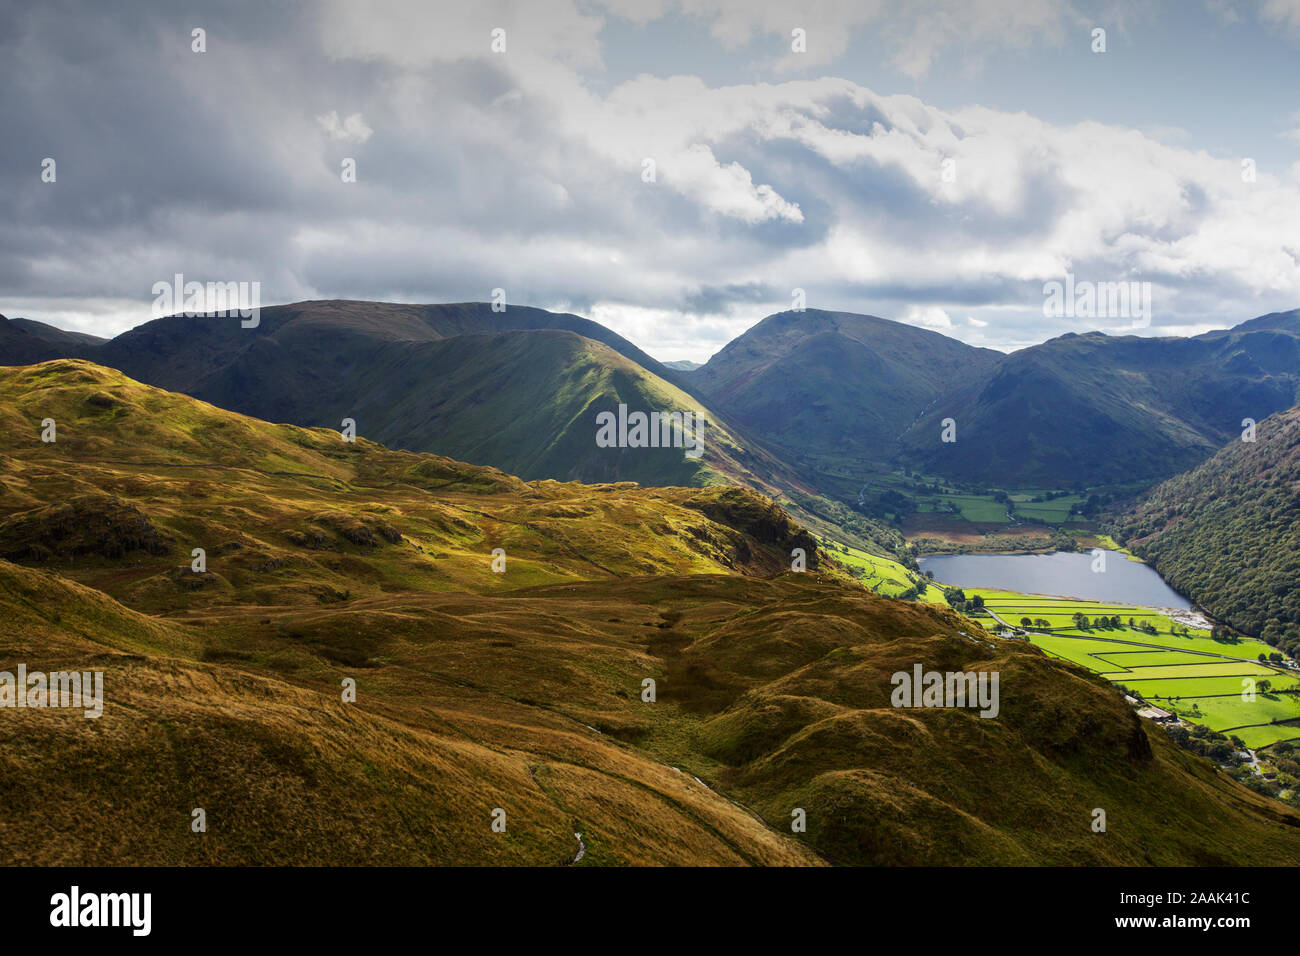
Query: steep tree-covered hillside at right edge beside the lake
point(1228, 533)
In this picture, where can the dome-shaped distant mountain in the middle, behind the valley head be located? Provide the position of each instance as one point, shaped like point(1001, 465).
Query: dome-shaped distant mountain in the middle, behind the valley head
point(837, 384)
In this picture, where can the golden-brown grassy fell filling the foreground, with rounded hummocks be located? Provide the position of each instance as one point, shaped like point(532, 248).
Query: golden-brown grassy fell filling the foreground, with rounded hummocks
point(519, 691)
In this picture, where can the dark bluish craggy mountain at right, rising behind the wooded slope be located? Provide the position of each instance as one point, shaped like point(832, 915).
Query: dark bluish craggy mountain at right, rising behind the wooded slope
point(1098, 409)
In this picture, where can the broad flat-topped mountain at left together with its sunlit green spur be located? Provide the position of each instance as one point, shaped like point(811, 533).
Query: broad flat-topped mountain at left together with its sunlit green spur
point(519, 391)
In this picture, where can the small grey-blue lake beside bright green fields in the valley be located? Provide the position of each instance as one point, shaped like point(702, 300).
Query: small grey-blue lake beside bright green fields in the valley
point(1067, 574)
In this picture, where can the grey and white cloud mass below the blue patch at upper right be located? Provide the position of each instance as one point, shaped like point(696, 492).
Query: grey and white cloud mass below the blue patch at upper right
point(515, 171)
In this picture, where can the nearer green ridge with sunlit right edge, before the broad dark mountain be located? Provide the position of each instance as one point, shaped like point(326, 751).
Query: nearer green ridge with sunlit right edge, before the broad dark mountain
point(522, 401)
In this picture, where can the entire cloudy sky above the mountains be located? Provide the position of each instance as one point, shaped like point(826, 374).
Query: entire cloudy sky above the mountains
point(675, 170)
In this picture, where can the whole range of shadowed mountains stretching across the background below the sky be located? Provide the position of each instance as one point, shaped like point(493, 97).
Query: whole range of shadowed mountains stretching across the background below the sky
point(801, 406)
